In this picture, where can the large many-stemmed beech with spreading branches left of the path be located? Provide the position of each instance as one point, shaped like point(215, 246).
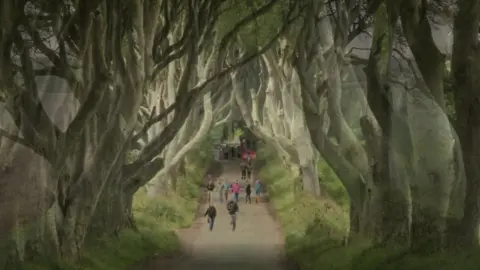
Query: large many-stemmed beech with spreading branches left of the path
point(112, 56)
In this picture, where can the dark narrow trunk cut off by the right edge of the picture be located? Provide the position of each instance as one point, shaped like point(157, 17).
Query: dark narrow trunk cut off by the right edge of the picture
point(465, 68)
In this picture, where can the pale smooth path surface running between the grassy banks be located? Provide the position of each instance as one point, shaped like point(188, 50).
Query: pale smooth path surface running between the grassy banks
point(256, 244)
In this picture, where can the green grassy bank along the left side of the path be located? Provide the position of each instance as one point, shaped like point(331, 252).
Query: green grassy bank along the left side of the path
point(156, 220)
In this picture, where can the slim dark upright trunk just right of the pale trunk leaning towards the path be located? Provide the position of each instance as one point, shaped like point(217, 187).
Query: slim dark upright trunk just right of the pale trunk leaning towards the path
point(390, 202)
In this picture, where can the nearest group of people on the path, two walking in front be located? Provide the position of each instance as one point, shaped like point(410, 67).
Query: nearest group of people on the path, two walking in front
point(232, 205)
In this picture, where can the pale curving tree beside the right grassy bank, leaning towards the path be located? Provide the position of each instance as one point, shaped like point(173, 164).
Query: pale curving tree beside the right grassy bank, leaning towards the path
point(318, 60)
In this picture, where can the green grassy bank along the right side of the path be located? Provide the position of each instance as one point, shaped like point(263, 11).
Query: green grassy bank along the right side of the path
point(315, 229)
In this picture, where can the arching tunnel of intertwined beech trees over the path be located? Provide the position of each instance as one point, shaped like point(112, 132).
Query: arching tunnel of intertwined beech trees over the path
point(111, 96)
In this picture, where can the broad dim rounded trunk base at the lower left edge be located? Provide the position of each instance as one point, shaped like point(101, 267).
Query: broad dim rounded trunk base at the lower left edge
point(26, 197)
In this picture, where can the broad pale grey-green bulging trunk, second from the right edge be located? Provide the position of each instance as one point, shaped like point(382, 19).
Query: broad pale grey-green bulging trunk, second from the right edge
point(433, 171)
